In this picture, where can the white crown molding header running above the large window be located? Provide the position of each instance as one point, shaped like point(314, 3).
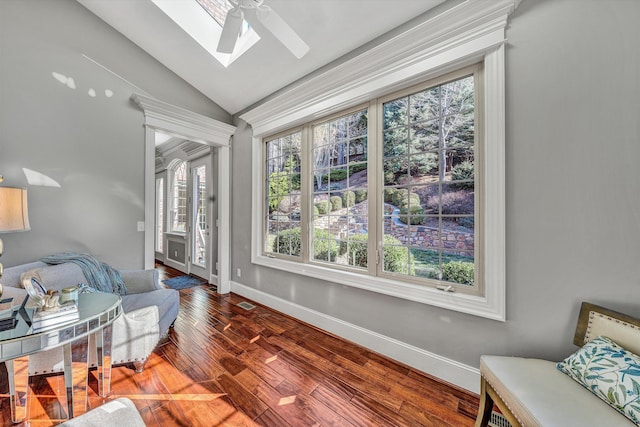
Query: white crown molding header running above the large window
point(460, 35)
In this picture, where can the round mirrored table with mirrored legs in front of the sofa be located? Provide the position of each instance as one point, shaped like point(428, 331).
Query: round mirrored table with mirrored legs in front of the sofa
point(97, 313)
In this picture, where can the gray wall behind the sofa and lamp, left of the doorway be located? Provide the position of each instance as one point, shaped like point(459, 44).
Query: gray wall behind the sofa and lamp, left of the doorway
point(92, 146)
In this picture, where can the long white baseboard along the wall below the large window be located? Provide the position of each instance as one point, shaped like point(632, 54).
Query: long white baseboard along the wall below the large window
point(446, 369)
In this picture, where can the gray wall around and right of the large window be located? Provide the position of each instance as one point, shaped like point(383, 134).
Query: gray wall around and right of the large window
point(573, 194)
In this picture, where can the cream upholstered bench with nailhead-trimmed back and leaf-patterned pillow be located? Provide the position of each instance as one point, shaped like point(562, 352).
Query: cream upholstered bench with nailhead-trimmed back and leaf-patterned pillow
point(599, 385)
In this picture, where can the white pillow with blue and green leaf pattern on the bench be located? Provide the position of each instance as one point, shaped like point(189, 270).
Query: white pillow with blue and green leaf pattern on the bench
point(610, 372)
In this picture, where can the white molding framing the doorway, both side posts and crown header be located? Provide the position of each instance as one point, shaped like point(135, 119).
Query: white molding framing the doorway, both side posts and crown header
point(182, 123)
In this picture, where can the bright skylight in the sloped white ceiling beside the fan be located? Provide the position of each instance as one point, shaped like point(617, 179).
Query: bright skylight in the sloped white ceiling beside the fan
point(203, 20)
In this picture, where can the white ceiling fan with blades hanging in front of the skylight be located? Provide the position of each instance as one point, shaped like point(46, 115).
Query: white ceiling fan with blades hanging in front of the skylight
point(264, 15)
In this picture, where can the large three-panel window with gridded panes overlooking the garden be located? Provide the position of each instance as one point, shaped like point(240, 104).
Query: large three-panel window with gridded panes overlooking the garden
point(421, 170)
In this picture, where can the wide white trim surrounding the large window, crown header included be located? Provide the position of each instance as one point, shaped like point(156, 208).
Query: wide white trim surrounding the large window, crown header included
point(468, 33)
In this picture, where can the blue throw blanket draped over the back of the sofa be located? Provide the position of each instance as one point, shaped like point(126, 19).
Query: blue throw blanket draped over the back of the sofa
point(100, 276)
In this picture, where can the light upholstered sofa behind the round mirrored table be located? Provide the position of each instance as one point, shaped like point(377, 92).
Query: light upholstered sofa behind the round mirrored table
point(148, 311)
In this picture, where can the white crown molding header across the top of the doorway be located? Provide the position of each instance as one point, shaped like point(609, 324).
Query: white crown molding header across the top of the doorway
point(181, 122)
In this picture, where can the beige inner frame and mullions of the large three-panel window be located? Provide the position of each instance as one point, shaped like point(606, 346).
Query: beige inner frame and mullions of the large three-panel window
point(375, 185)
